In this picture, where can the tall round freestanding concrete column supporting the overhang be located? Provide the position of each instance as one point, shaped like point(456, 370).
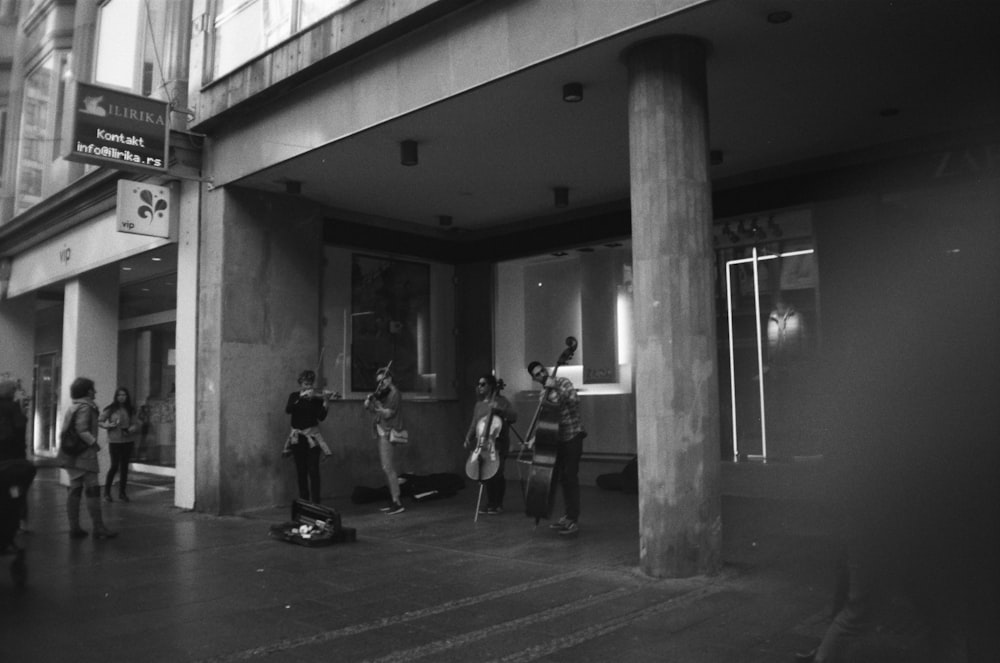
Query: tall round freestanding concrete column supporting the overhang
point(677, 410)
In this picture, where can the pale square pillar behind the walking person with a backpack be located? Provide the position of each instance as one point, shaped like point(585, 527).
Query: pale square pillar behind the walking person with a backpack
point(90, 337)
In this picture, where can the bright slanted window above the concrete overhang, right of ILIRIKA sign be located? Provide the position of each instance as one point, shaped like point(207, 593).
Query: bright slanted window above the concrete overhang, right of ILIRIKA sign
point(246, 28)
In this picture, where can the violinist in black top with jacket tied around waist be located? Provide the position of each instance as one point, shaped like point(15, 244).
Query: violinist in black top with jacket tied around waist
point(308, 406)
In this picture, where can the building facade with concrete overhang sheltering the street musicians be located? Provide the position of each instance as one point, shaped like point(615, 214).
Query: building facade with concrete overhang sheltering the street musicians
point(708, 196)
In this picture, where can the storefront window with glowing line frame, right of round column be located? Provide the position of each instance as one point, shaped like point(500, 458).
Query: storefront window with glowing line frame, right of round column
point(768, 333)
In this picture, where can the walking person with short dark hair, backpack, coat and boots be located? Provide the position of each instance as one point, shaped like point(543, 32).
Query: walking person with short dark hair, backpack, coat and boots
point(83, 469)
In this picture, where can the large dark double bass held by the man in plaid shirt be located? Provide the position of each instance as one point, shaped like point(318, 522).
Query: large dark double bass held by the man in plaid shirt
point(543, 439)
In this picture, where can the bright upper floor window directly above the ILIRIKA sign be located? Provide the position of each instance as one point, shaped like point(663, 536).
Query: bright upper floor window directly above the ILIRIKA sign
point(130, 39)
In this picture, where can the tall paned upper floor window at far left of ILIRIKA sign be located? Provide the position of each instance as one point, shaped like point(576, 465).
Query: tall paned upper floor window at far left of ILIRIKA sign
point(38, 144)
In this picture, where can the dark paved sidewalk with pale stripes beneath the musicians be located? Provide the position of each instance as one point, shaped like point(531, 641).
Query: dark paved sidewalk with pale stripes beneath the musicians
point(429, 584)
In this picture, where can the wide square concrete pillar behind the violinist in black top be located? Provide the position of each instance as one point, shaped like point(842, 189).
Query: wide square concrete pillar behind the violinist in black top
point(258, 326)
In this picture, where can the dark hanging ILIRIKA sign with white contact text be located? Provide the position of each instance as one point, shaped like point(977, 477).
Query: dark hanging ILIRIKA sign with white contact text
point(112, 128)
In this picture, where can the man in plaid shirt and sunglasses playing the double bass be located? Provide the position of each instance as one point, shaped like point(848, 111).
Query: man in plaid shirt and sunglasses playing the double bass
point(561, 393)
